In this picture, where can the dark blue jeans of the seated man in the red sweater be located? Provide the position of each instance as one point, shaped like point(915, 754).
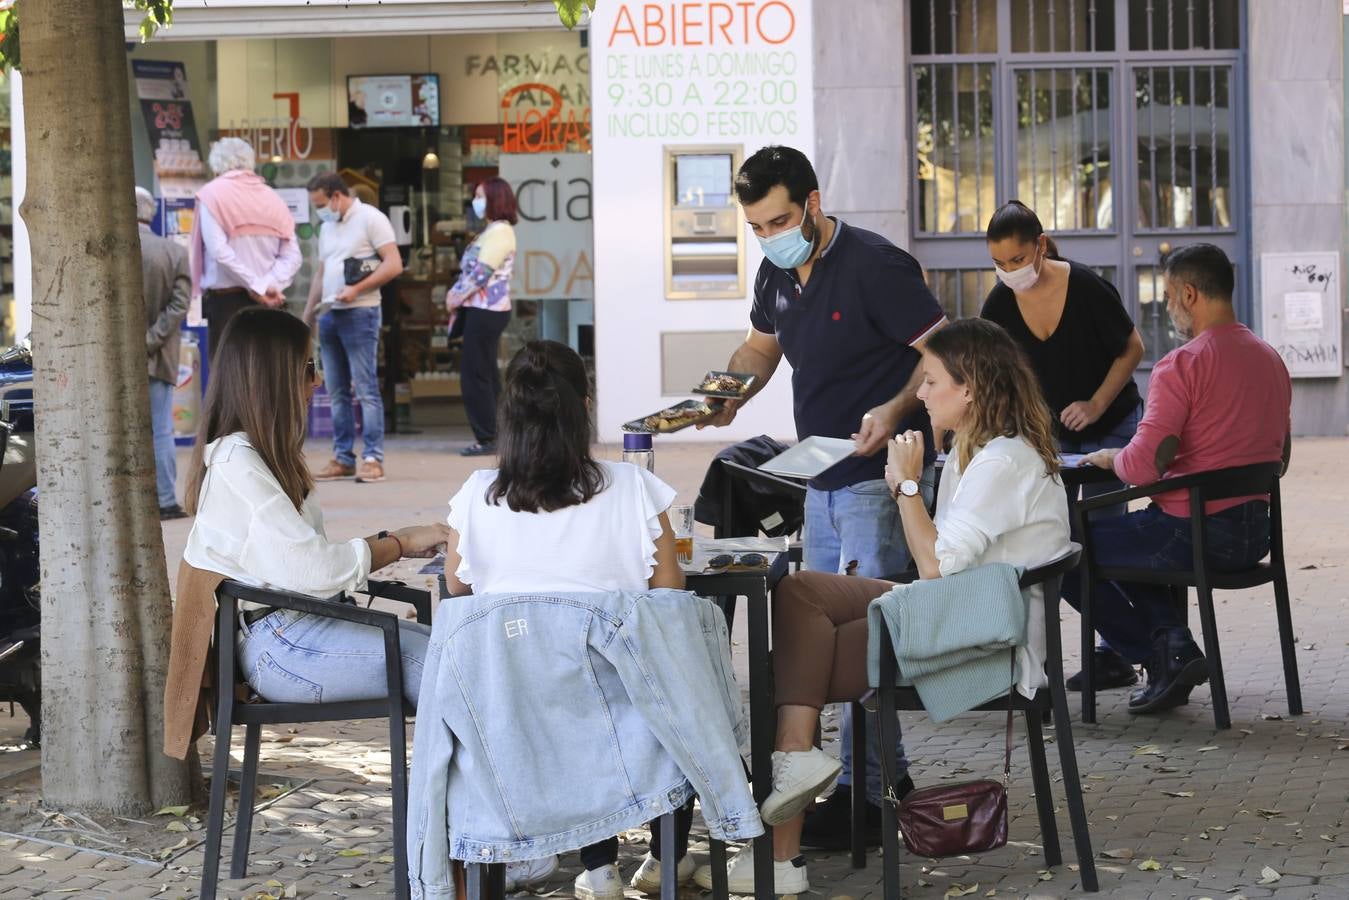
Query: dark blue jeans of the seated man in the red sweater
point(1126, 613)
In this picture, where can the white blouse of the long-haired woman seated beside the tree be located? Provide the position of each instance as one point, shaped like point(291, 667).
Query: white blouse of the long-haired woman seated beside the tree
point(248, 530)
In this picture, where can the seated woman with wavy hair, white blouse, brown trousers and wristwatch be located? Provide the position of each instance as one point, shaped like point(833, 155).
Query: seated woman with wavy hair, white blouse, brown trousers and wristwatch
point(1000, 501)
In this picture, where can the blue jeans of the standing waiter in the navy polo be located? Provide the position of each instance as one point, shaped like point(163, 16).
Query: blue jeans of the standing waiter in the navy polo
point(860, 523)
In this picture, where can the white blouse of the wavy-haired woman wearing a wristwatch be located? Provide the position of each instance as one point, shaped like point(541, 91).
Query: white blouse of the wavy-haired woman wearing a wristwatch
point(1004, 509)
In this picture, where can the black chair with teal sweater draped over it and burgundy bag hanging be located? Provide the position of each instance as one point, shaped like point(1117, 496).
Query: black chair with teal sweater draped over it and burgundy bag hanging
point(891, 698)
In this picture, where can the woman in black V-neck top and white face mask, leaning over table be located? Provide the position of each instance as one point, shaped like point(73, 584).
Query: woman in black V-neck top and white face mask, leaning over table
point(1084, 349)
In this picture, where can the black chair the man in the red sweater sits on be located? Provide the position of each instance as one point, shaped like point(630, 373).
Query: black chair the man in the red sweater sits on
point(1243, 481)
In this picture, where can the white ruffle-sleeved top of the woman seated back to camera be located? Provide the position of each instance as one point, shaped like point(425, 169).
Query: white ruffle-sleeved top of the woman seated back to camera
point(608, 544)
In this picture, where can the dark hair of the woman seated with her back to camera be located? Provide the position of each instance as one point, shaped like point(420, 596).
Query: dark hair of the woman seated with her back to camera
point(544, 432)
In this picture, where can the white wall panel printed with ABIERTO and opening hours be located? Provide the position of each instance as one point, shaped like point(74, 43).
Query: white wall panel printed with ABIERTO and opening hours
point(667, 79)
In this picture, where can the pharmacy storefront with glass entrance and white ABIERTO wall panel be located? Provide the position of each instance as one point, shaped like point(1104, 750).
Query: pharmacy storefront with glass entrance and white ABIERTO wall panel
point(621, 141)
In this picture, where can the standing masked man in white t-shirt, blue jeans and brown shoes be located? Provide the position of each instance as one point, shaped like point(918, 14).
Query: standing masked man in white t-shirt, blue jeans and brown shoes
point(357, 256)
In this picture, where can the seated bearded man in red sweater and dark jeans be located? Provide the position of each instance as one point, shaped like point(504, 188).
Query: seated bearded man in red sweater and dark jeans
point(1219, 401)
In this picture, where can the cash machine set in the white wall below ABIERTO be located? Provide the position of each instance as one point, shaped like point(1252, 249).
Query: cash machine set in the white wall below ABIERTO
point(705, 234)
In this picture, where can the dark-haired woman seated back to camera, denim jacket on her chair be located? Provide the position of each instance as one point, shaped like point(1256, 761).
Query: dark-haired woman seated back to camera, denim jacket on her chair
point(554, 519)
